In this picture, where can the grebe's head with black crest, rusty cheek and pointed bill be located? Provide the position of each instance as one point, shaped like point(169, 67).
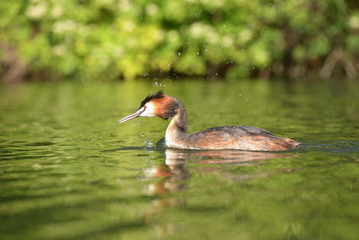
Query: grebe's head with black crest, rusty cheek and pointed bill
point(156, 105)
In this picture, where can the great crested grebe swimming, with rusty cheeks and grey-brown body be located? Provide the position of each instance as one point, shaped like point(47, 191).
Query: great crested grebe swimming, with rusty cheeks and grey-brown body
point(225, 137)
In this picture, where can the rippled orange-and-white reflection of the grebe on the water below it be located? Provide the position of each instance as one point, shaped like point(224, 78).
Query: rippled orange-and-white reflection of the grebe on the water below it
point(173, 173)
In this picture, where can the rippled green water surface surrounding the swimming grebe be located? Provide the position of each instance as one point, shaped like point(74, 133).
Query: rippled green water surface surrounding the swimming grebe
point(68, 170)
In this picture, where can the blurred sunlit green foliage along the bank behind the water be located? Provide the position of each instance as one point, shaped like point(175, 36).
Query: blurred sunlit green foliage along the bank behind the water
point(112, 39)
